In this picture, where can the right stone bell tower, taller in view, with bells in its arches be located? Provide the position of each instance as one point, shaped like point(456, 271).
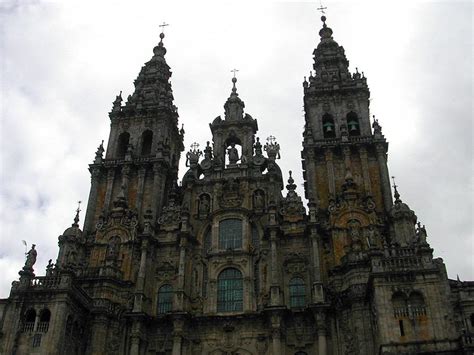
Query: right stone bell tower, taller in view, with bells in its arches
point(344, 162)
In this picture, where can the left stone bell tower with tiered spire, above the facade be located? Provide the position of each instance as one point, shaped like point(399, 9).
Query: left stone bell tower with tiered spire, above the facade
point(143, 149)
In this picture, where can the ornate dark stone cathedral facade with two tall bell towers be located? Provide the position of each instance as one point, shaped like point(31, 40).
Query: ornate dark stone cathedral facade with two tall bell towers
point(231, 260)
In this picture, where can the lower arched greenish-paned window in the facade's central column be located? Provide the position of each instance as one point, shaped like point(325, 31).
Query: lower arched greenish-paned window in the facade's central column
point(230, 291)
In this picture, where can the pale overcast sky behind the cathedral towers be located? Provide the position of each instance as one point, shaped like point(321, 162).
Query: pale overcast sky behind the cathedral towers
point(63, 62)
